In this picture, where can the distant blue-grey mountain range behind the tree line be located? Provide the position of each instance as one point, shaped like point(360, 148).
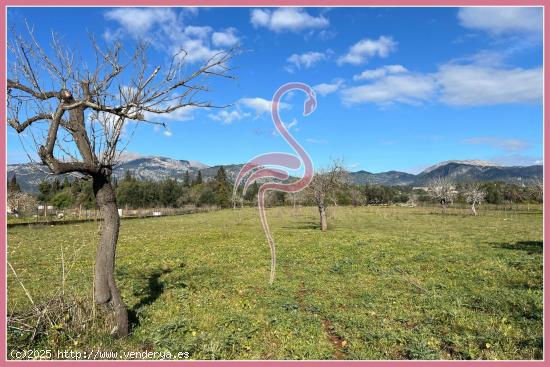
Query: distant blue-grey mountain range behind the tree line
point(29, 175)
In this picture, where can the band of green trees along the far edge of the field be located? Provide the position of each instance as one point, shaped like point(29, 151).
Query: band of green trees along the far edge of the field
point(135, 193)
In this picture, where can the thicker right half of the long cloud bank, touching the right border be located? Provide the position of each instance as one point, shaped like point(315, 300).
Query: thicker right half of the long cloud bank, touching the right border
point(470, 85)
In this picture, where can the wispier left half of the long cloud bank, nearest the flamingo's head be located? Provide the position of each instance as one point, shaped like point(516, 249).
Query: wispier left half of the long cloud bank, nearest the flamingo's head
point(407, 88)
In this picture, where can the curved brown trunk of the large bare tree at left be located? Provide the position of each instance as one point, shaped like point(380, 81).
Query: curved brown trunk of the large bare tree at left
point(105, 290)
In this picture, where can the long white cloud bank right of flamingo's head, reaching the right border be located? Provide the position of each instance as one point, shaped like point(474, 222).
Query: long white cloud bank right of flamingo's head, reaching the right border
point(452, 84)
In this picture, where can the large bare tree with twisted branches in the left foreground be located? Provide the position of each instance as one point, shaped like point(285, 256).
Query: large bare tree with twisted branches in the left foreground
point(76, 111)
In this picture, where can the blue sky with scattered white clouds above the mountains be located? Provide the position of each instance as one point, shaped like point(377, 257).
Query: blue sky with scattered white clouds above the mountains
point(397, 88)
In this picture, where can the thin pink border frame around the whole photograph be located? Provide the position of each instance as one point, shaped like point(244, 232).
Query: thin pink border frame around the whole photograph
point(3, 229)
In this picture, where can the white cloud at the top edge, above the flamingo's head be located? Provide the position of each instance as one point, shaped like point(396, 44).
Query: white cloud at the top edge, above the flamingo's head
point(287, 19)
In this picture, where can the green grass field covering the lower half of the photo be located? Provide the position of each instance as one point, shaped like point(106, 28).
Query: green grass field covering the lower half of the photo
point(381, 283)
